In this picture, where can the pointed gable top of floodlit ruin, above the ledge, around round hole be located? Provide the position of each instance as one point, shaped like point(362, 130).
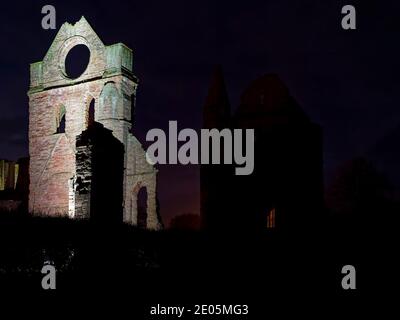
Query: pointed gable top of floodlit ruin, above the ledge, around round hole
point(105, 61)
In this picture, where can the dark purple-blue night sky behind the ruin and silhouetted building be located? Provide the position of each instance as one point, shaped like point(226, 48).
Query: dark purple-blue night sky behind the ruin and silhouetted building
point(347, 81)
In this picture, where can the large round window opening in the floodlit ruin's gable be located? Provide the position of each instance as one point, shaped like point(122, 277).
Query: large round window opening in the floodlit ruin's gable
point(77, 61)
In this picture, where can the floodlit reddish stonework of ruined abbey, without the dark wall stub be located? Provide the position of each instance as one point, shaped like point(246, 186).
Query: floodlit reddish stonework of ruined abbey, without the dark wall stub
point(109, 80)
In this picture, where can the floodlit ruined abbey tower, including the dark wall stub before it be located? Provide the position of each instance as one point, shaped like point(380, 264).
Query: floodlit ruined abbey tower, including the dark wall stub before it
point(78, 129)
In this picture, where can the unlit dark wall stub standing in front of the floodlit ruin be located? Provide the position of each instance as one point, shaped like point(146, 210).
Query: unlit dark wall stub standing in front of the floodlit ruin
point(99, 171)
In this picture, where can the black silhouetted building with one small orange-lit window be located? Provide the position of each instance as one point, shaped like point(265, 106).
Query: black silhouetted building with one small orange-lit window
point(285, 190)
